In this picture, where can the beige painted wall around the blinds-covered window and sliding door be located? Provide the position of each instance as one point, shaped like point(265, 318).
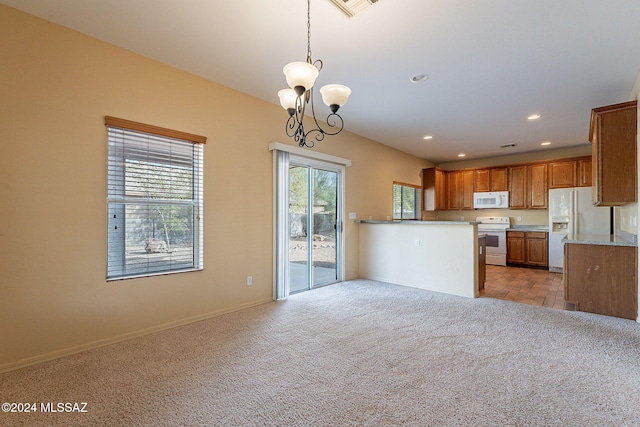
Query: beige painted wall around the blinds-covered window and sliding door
point(57, 86)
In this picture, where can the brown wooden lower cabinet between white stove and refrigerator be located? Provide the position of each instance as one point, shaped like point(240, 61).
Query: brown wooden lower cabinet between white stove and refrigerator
point(528, 248)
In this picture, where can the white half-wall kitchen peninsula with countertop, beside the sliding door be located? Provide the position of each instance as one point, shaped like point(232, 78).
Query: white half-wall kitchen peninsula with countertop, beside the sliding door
point(439, 256)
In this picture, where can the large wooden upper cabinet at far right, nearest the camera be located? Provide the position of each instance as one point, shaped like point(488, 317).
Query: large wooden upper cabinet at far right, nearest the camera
point(613, 134)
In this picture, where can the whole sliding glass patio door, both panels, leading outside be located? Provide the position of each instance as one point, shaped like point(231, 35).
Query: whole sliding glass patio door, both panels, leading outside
point(313, 227)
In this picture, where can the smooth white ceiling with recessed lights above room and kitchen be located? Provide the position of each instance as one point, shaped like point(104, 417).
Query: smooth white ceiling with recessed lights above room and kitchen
point(490, 63)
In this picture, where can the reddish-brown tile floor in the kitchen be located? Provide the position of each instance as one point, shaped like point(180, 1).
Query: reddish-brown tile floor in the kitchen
point(525, 285)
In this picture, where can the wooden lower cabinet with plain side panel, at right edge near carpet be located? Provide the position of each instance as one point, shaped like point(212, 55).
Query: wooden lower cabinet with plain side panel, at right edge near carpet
point(602, 279)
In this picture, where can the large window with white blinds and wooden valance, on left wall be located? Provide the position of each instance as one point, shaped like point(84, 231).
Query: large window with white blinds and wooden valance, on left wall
point(154, 200)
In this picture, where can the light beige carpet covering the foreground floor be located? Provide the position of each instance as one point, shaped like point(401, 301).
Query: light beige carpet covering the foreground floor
point(359, 353)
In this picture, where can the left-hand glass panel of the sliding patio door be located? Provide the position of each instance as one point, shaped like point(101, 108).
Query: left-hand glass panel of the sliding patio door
point(299, 272)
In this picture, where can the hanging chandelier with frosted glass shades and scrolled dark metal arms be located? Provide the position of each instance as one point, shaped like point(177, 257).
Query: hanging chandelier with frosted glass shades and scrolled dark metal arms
point(300, 77)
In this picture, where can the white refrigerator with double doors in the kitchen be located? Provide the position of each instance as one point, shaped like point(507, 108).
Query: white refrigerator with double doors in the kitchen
point(571, 211)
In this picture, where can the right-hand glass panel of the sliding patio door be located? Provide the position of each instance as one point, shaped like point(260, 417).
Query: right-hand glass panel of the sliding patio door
point(324, 224)
